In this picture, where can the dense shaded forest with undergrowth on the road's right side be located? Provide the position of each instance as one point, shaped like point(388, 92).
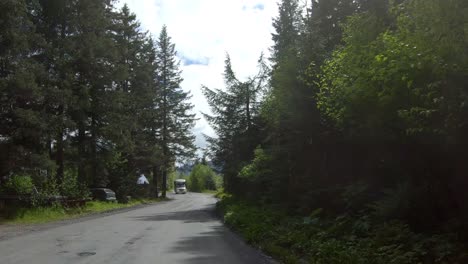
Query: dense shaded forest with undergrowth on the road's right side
point(361, 120)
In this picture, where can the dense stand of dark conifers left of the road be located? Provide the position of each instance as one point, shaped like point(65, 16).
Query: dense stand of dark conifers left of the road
point(87, 99)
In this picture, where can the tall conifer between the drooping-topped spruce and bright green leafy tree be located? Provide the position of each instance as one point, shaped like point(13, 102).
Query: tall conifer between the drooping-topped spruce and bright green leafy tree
point(301, 42)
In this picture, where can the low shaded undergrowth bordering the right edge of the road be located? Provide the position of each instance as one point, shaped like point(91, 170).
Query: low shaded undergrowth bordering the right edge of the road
point(345, 239)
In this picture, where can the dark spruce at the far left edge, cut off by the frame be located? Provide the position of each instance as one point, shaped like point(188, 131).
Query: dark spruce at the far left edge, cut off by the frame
point(23, 126)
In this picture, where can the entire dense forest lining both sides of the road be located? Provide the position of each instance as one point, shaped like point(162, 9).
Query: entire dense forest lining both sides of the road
point(348, 145)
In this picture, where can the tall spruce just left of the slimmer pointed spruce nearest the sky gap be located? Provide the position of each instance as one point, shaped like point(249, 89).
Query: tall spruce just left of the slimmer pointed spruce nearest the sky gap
point(130, 101)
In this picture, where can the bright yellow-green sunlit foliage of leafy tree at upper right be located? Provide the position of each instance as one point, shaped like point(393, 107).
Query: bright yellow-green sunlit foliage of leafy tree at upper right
point(397, 87)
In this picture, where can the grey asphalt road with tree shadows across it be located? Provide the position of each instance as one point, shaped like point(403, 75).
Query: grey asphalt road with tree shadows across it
point(183, 230)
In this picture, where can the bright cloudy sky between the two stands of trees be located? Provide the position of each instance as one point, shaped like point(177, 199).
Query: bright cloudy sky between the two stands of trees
point(203, 32)
